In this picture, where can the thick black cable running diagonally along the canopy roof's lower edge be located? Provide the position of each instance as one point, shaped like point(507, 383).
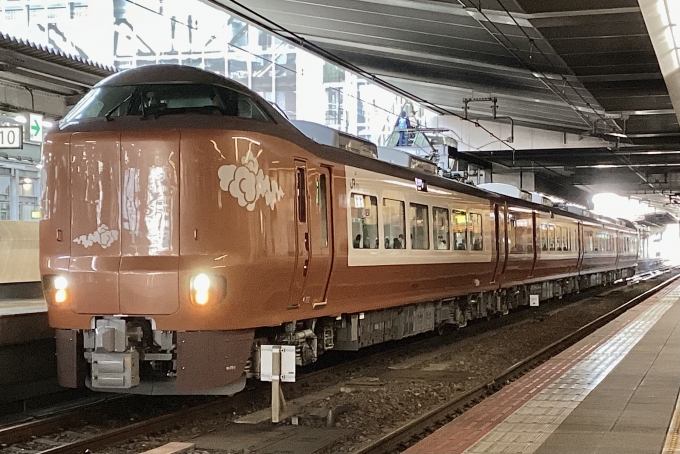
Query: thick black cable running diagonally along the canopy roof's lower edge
point(273, 27)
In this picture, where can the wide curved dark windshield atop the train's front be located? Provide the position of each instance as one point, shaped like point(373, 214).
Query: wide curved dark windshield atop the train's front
point(154, 100)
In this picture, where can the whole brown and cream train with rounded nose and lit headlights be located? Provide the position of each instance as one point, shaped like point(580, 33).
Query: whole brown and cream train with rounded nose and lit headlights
point(186, 222)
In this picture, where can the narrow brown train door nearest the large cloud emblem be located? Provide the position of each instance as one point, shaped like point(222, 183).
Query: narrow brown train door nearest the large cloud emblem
point(298, 293)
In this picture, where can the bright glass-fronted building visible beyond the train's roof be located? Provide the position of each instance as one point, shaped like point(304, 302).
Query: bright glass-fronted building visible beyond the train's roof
point(127, 34)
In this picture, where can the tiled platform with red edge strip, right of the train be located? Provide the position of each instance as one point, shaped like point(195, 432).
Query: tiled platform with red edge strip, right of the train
point(614, 392)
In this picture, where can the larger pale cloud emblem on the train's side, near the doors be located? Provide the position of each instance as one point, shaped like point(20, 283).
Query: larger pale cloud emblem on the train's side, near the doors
point(247, 183)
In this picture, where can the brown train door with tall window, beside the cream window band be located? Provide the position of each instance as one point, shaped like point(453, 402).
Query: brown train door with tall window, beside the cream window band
point(320, 236)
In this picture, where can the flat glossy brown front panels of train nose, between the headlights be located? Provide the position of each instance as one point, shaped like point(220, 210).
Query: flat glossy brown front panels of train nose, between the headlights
point(125, 215)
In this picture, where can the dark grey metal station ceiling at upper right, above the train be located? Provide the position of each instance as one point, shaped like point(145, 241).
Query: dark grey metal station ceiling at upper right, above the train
point(585, 66)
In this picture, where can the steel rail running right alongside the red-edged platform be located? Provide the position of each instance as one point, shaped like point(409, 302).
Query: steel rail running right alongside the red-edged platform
point(427, 423)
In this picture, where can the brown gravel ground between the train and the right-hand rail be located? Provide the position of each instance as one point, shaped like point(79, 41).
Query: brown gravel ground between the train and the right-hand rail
point(416, 377)
